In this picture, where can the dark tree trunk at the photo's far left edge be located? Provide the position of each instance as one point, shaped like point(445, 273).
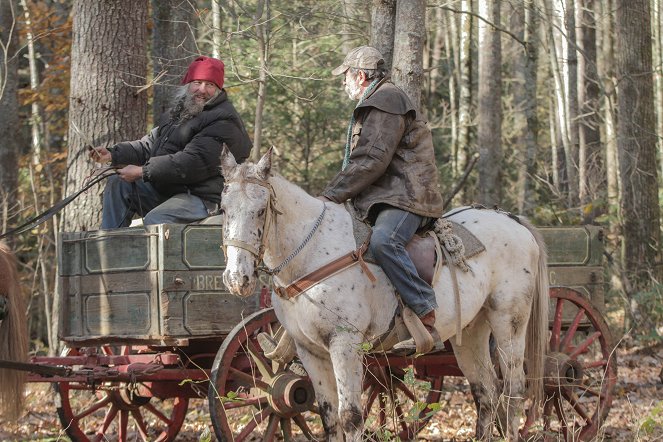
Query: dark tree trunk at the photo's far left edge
point(8, 112)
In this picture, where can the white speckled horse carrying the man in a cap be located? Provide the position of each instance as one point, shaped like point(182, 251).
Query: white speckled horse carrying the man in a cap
point(505, 293)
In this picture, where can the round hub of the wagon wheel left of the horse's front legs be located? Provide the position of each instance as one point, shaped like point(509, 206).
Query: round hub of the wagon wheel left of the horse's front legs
point(291, 394)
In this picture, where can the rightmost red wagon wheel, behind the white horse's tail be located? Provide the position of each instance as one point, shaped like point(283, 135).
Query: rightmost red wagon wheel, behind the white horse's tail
point(580, 374)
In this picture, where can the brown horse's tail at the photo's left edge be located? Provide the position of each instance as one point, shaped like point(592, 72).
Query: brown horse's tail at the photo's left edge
point(13, 335)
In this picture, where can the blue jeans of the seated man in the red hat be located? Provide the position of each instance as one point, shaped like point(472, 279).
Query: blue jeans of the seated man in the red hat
point(123, 200)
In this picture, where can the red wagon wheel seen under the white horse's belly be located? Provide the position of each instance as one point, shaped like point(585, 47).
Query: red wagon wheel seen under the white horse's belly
point(398, 402)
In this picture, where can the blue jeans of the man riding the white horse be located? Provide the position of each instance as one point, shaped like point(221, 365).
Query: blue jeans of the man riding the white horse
point(393, 229)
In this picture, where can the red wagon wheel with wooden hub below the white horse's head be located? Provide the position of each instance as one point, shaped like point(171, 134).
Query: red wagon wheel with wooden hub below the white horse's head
point(252, 397)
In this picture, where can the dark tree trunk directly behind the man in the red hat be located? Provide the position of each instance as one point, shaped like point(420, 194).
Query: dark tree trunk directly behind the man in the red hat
point(173, 48)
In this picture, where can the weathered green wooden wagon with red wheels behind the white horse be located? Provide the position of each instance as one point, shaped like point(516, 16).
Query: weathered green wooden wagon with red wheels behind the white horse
point(149, 325)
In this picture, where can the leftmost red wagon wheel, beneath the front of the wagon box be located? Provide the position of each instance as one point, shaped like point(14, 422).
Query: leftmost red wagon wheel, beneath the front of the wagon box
point(116, 410)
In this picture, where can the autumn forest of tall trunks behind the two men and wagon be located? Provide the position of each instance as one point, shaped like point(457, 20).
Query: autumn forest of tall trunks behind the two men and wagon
point(549, 108)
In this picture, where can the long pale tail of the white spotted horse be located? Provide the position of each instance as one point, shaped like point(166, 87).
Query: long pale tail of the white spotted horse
point(536, 346)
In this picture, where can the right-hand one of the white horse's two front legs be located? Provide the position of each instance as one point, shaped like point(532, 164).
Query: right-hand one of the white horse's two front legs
point(347, 360)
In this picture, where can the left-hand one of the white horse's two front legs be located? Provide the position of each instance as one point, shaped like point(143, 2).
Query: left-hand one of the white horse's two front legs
point(319, 369)
